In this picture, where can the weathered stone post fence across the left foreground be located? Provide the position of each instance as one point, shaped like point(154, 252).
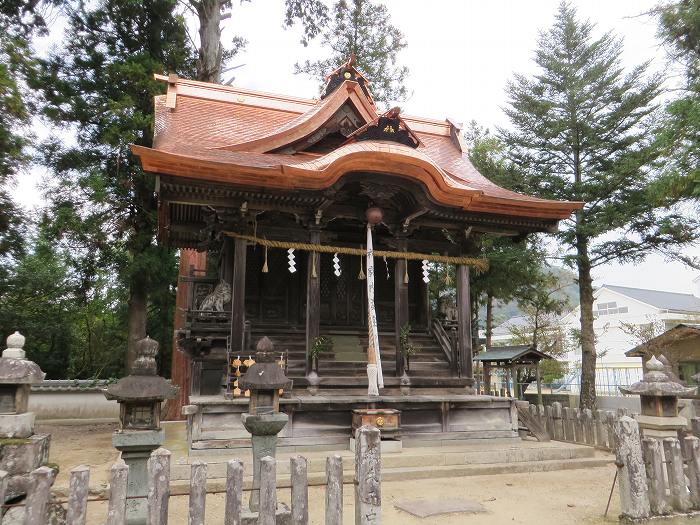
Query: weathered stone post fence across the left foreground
point(367, 487)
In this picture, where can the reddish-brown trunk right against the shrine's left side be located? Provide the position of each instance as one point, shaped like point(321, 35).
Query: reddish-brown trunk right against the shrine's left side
point(180, 371)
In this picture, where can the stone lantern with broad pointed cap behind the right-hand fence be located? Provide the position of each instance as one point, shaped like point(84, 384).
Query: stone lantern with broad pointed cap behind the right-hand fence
point(659, 400)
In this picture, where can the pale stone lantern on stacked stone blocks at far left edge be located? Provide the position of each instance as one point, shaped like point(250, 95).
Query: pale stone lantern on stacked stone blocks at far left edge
point(24, 451)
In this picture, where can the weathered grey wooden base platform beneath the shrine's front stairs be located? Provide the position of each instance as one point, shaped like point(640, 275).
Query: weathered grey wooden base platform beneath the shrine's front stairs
point(325, 420)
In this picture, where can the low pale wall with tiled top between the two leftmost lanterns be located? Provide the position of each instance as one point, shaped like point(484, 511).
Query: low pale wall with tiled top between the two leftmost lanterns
point(68, 399)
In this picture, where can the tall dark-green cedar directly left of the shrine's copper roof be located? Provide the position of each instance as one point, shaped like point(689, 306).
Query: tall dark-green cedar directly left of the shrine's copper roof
point(100, 84)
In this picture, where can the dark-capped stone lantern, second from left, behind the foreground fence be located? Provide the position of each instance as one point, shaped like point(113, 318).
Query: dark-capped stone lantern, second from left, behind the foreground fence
point(139, 395)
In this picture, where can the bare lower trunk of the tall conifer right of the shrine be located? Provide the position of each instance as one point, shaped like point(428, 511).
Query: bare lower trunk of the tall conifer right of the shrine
point(588, 356)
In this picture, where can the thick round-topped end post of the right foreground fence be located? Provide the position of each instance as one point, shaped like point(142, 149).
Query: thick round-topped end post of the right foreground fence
point(634, 497)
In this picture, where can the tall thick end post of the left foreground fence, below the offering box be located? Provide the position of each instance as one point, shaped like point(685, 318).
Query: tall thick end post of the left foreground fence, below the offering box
point(368, 488)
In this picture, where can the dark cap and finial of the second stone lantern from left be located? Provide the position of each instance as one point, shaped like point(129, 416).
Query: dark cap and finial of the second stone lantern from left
point(142, 384)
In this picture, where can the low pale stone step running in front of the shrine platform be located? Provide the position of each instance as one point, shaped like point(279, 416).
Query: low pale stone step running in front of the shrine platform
point(411, 459)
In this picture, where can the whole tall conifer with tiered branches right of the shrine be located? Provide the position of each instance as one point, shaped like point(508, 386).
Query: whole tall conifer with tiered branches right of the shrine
point(581, 132)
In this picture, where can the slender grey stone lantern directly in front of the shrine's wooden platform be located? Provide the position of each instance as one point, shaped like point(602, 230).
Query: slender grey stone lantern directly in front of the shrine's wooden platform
point(264, 420)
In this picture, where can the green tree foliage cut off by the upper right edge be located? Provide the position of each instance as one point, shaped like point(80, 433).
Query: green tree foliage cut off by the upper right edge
point(679, 29)
